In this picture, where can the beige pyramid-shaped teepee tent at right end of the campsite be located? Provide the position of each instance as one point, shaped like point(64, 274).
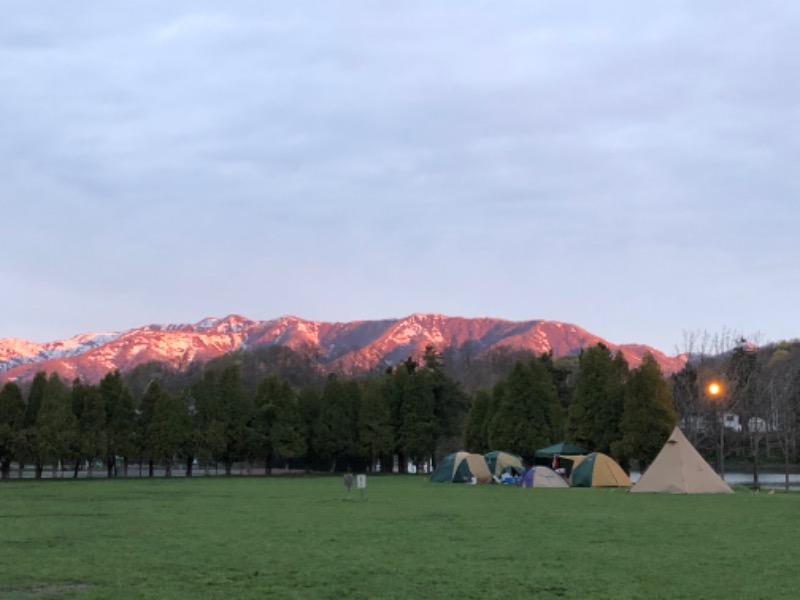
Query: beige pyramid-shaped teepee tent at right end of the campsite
point(679, 469)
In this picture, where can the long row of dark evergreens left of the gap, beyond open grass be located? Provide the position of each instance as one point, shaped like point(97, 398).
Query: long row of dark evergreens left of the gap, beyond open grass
point(408, 411)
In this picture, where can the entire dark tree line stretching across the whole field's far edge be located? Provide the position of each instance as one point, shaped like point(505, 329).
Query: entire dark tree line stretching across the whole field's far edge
point(276, 410)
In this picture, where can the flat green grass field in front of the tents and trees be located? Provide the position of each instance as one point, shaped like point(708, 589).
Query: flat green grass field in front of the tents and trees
point(298, 537)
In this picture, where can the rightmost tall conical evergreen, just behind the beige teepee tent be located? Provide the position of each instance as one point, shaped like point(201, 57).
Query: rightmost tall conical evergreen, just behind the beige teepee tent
point(648, 417)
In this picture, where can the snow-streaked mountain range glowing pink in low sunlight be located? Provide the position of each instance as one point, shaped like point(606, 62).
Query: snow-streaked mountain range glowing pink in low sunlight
point(346, 348)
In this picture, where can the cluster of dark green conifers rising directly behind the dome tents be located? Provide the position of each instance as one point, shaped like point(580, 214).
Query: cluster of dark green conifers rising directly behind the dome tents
point(606, 407)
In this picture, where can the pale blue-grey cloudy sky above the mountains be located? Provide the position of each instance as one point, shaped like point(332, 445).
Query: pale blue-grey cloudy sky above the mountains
point(631, 168)
